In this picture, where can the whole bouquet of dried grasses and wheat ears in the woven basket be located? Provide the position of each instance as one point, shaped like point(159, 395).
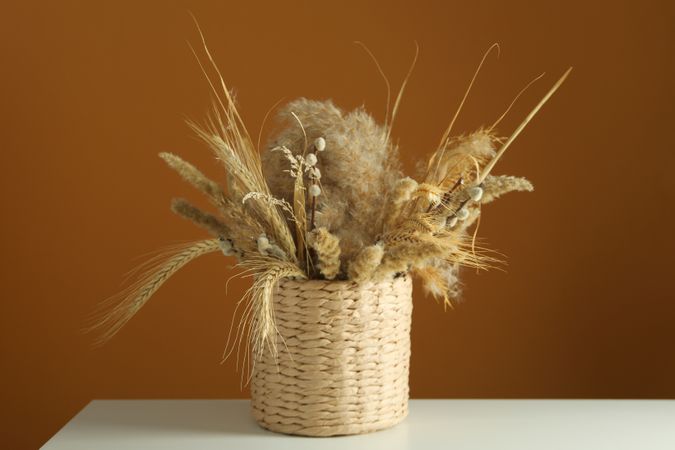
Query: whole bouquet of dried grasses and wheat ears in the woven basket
point(328, 199)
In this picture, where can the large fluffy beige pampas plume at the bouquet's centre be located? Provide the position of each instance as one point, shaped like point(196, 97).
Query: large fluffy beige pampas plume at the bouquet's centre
point(359, 168)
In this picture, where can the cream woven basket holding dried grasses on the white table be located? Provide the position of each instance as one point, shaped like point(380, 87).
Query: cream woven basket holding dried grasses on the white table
point(343, 358)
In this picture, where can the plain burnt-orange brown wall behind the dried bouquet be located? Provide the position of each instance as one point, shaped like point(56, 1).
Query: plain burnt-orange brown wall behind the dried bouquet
point(91, 93)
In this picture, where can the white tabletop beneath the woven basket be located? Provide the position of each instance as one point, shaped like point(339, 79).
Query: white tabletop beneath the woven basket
point(432, 424)
